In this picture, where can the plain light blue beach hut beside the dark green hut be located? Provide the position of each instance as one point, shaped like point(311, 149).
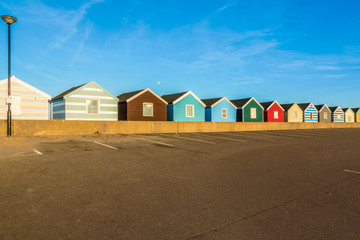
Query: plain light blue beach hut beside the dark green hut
point(219, 110)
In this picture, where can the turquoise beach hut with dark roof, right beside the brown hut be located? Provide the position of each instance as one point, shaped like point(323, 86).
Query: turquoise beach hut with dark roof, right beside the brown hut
point(184, 107)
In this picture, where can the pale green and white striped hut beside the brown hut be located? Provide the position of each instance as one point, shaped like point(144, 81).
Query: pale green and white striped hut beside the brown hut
point(85, 102)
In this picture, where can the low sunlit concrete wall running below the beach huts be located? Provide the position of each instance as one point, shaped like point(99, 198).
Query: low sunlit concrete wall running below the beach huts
point(60, 127)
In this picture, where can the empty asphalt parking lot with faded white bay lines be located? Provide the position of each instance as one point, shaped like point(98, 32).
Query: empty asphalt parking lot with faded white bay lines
point(291, 184)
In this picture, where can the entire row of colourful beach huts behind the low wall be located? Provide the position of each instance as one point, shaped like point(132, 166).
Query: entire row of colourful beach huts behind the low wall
point(90, 101)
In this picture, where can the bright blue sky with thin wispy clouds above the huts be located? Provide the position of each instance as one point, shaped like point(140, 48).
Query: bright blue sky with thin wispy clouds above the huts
point(290, 51)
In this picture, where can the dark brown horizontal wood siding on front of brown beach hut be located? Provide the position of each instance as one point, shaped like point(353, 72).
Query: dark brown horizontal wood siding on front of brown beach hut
point(135, 108)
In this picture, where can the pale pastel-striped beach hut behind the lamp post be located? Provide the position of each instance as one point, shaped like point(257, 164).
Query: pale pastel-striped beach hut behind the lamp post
point(27, 102)
